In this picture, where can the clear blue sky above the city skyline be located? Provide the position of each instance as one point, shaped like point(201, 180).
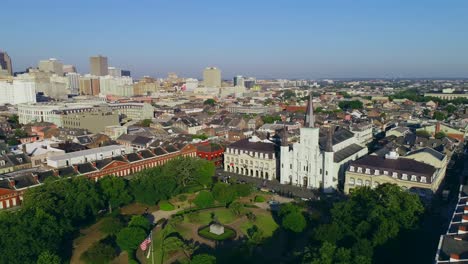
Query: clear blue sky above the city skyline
point(267, 39)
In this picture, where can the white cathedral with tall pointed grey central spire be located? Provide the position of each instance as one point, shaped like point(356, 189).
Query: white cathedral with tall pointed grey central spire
point(318, 161)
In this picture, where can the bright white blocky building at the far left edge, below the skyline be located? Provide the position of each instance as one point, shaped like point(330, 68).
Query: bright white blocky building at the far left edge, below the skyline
point(17, 92)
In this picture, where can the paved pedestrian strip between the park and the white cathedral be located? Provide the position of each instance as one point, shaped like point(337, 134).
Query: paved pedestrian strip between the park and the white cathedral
point(281, 189)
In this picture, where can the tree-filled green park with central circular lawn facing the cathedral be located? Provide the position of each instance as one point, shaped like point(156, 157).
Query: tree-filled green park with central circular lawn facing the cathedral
point(181, 213)
